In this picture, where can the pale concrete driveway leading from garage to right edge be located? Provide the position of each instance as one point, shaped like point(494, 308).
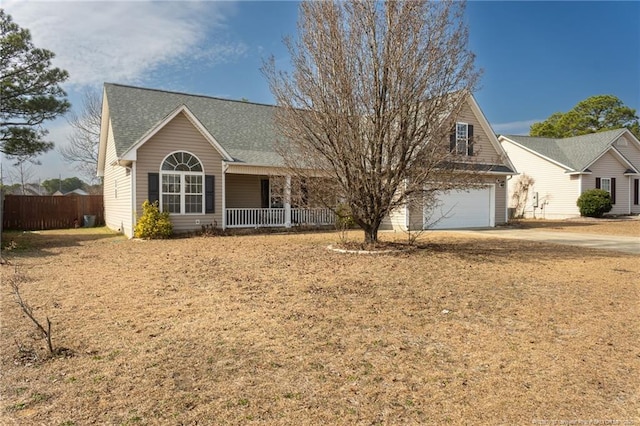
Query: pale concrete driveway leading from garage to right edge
point(606, 242)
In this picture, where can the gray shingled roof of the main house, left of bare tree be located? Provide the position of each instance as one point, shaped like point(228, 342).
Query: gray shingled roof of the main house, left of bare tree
point(245, 130)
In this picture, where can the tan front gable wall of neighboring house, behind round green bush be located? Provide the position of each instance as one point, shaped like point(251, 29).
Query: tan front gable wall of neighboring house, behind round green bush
point(608, 166)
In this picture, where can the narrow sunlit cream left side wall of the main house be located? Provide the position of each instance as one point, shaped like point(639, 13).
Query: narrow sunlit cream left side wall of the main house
point(117, 192)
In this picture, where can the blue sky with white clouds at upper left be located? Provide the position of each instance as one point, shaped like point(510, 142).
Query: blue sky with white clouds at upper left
point(538, 57)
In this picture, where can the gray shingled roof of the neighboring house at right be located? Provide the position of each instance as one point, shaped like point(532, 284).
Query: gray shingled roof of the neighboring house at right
point(577, 152)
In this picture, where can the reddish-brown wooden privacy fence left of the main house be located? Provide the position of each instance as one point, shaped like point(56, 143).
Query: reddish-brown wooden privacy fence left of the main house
point(33, 212)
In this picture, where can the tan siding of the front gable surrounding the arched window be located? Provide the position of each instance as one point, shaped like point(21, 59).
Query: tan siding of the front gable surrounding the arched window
point(179, 135)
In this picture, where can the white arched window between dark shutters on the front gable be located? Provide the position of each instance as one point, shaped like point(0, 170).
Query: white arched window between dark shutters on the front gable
point(182, 178)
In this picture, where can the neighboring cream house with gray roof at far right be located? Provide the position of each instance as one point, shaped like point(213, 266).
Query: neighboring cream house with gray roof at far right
point(562, 169)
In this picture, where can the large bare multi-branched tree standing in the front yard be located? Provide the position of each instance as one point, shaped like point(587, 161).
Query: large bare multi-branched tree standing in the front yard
point(371, 102)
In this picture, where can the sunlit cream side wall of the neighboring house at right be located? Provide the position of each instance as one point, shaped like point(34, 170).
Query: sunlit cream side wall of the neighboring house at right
point(557, 190)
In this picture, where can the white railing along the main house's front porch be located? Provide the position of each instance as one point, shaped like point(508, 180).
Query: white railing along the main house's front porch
point(256, 218)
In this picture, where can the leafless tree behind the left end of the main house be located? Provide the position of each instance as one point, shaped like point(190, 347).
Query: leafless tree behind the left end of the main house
point(82, 147)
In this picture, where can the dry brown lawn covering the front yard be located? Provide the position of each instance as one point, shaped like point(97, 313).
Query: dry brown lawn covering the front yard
point(276, 329)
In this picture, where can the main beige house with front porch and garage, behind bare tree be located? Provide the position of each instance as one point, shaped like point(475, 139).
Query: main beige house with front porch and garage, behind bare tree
point(211, 161)
